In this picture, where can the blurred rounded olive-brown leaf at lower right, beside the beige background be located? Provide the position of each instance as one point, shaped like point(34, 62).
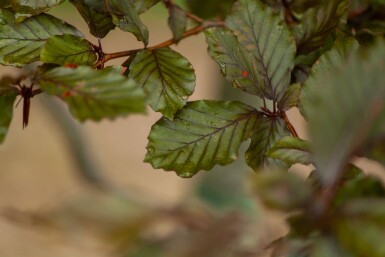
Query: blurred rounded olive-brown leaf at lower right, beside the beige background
point(282, 190)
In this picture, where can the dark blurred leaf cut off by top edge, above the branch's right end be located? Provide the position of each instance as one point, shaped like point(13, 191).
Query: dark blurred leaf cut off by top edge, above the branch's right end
point(212, 8)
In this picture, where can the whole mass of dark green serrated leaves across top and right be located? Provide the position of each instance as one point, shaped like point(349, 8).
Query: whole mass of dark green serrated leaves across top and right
point(323, 57)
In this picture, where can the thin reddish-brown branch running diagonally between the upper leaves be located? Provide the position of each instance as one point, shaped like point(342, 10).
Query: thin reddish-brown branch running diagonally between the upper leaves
point(188, 33)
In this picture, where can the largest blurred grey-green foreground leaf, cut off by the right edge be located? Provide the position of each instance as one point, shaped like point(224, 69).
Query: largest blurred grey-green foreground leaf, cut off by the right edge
point(347, 111)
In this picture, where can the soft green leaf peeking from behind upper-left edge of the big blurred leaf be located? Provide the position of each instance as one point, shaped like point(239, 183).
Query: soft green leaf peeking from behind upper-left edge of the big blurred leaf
point(335, 57)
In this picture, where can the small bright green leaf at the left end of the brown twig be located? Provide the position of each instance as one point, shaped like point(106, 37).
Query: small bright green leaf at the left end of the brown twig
point(68, 49)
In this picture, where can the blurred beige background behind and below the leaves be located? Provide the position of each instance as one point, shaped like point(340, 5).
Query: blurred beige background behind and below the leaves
point(70, 189)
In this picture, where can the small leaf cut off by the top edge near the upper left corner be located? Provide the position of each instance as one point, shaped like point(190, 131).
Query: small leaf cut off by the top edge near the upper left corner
point(33, 7)
